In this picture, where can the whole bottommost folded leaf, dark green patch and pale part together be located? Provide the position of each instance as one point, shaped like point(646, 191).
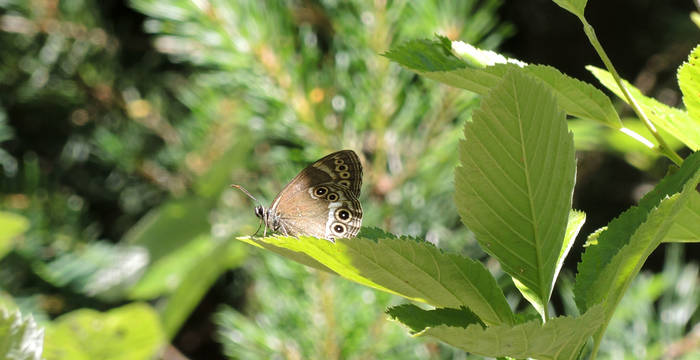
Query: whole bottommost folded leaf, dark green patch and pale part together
point(559, 338)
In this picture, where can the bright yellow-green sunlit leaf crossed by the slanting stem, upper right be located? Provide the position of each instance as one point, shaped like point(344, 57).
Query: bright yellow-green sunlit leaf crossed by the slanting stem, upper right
point(674, 121)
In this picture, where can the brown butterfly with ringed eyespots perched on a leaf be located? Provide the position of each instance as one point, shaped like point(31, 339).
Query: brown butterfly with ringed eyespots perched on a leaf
point(322, 201)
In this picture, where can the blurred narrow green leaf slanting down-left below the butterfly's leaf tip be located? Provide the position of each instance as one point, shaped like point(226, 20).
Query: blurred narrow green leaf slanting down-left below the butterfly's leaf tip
point(223, 255)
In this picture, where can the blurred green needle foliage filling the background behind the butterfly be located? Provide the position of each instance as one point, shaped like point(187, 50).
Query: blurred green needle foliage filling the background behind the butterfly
point(118, 148)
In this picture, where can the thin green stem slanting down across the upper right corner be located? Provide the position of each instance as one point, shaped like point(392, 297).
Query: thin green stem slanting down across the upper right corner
point(662, 147)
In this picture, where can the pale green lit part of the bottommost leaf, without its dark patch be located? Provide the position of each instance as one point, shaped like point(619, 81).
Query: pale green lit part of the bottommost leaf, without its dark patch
point(559, 338)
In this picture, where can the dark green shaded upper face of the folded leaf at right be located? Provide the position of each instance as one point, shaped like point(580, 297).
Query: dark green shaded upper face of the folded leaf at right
point(619, 232)
